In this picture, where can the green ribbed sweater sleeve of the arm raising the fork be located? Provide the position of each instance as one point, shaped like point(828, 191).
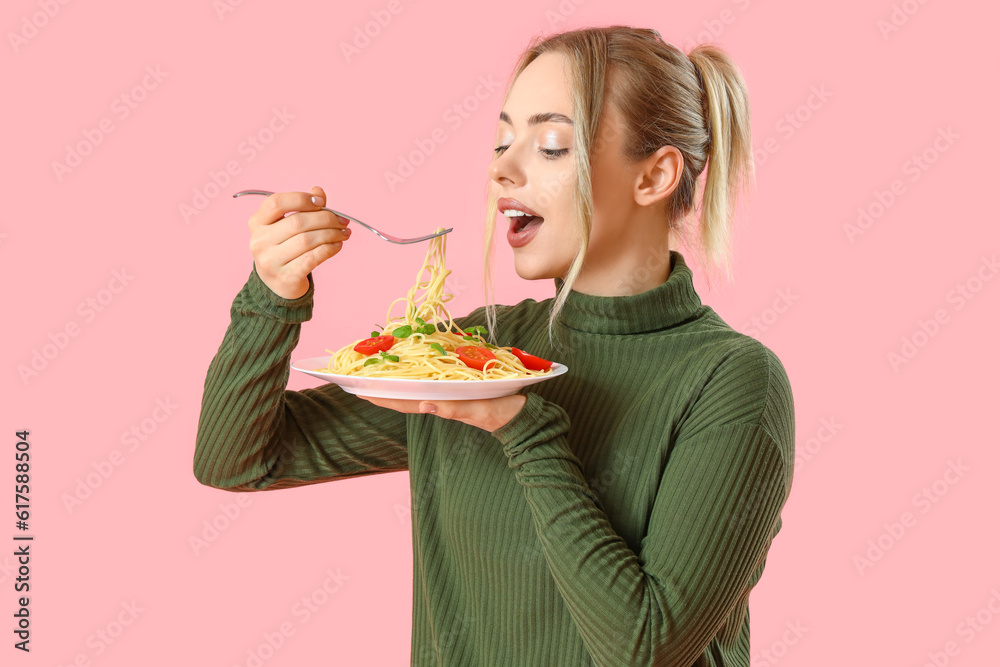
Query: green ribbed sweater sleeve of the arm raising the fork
point(254, 434)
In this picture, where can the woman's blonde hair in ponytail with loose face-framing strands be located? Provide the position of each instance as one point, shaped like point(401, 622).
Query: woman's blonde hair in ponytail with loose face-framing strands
point(697, 103)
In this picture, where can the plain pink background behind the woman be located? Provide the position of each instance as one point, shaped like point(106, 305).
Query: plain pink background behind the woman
point(895, 430)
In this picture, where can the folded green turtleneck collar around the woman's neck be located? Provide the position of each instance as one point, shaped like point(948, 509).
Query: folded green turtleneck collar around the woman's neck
point(664, 306)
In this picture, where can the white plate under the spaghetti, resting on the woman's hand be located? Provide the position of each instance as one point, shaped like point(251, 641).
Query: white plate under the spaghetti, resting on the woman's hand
point(442, 390)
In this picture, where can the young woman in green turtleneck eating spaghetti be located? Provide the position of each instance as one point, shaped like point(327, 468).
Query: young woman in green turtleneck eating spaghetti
point(620, 514)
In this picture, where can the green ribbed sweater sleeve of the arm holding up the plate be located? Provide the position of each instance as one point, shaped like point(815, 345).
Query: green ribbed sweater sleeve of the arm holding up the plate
point(715, 513)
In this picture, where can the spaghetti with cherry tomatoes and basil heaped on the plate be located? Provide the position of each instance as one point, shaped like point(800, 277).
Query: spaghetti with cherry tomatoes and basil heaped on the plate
point(421, 350)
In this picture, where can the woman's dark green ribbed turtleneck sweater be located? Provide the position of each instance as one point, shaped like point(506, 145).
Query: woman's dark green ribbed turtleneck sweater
point(622, 517)
